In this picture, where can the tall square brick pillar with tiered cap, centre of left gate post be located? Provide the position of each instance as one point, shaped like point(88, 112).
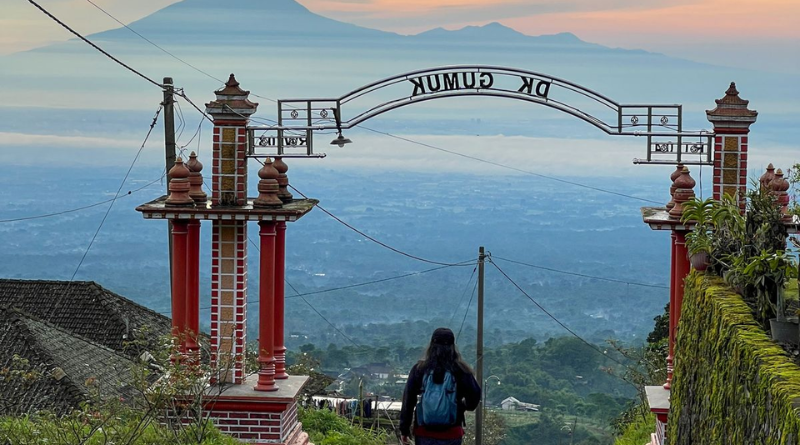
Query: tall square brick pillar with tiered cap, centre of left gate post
point(230, 111)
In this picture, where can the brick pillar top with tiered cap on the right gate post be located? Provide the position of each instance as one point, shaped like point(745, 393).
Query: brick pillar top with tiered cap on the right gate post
point(732, 120)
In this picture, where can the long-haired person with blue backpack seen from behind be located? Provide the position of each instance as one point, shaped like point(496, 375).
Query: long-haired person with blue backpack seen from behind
point(447, 388)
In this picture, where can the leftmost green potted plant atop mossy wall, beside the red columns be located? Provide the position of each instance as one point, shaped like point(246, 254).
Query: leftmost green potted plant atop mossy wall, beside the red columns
point(700, 241)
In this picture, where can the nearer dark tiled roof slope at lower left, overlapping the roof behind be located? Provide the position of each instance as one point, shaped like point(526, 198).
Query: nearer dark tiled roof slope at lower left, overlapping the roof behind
point(62, 369)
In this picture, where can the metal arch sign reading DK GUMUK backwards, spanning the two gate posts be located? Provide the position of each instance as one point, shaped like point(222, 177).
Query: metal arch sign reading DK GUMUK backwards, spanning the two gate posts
point(660, 124)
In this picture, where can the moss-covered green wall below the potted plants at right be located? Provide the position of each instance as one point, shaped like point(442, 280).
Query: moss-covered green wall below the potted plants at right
point(732, 383)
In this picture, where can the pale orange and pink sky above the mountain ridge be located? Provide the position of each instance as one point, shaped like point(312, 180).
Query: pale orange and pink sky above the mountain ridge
point(740, 33)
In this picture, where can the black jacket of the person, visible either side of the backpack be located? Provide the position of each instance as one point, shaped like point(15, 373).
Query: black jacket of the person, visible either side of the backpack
point(468, 395)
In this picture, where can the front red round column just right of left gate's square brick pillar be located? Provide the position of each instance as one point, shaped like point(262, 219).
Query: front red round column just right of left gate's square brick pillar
point(266, 309)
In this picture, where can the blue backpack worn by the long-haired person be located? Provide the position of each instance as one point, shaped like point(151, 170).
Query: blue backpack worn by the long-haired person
point(437, 406)
